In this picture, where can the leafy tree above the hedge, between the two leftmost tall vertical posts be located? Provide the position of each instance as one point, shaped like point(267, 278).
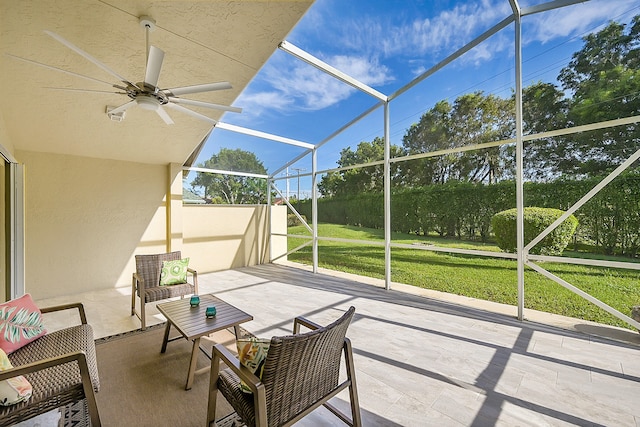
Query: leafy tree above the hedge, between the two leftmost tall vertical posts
point(358, 180)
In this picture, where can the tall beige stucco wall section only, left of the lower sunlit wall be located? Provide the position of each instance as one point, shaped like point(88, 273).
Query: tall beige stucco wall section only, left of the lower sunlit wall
point(84, 220)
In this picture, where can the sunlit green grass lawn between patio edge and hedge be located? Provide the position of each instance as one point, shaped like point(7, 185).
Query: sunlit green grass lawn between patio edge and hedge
point(492, 279)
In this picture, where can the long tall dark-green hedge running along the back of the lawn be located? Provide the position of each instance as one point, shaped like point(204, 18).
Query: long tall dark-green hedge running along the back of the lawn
point(610, 221)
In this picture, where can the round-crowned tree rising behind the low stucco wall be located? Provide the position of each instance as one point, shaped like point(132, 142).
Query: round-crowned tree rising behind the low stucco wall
point(231, 189)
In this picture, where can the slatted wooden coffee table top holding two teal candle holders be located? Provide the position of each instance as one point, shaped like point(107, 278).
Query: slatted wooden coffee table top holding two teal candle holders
point(192, 322)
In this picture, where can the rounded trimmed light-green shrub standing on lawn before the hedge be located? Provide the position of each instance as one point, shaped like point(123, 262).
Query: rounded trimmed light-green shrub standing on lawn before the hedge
point(536, 220)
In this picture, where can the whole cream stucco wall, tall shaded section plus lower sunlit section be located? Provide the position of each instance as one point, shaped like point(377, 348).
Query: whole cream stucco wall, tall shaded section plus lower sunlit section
point(85, 219)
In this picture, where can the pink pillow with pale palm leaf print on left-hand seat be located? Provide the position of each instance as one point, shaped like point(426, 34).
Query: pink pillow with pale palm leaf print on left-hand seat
point(20, 323)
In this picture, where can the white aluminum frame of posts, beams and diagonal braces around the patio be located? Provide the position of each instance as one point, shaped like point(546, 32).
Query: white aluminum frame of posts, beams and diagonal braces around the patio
point(522, 255)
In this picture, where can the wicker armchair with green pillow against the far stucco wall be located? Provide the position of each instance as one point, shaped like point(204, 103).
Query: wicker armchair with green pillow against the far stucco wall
point(146, 282)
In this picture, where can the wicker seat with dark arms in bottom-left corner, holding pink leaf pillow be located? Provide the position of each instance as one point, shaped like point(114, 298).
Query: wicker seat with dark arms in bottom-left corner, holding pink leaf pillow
point(62, 369)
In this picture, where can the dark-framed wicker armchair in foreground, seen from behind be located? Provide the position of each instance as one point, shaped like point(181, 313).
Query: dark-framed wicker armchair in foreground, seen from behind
point(301, 373)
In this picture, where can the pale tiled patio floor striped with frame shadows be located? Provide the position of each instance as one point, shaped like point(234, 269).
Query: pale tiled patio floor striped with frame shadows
point(425, 361)
